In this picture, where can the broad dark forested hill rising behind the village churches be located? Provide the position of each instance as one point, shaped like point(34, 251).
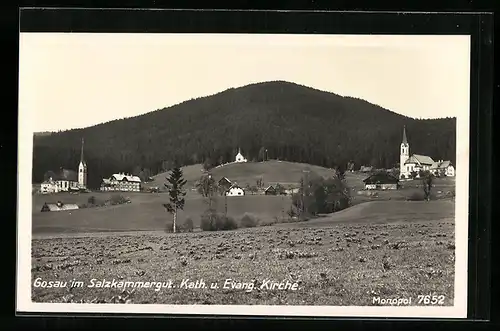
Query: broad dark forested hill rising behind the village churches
point(293, 122)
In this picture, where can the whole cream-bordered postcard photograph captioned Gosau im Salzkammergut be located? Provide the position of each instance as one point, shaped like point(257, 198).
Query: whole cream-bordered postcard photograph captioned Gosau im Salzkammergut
point(250, 174)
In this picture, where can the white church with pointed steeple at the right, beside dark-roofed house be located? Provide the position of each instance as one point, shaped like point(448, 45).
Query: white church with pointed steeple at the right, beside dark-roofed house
point(416, 163)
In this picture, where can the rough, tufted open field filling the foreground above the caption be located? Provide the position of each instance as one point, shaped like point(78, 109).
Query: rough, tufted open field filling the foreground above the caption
point(339, 264)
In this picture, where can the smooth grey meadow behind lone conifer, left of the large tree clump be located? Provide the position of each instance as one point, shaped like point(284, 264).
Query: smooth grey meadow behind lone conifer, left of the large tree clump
point(146, 212)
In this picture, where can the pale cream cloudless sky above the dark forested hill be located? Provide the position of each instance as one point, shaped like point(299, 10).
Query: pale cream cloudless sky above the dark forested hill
point(76, 80)
